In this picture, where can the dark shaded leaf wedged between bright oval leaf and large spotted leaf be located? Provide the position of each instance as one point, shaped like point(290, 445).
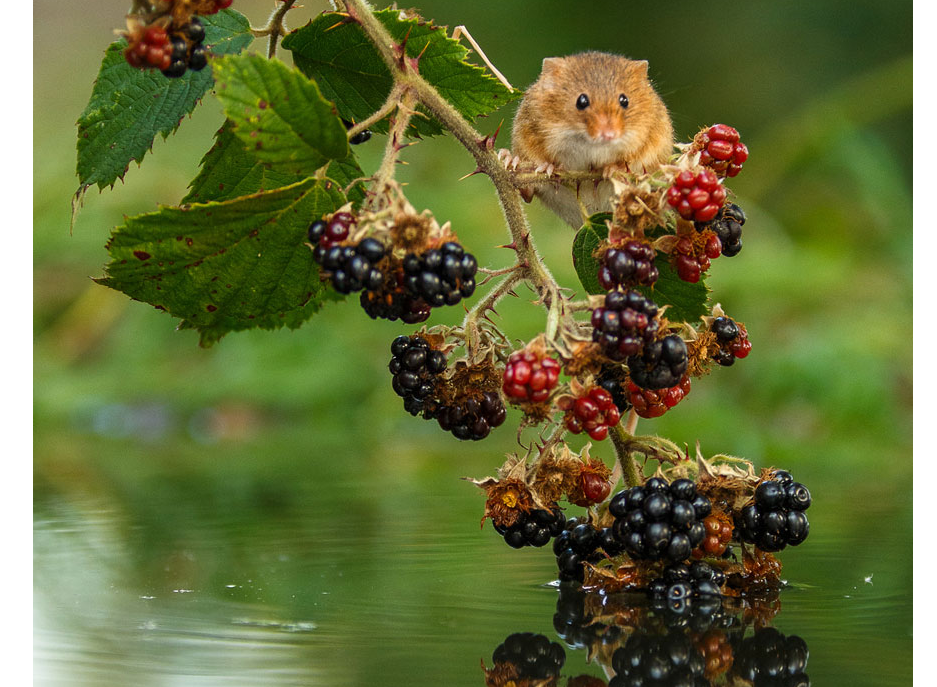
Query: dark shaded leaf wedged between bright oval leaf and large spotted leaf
point(230, 171)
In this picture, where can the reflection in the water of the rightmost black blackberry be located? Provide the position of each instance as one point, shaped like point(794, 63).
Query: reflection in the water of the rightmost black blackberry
point(769, 659)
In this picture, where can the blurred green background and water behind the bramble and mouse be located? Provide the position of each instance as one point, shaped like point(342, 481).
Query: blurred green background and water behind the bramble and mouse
point(265, 512)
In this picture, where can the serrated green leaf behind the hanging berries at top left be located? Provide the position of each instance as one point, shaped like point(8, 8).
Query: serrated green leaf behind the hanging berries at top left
point(129, 107)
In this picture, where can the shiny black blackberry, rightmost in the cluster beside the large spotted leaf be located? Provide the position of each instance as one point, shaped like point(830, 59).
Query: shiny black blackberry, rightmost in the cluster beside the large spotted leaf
point(442, 276)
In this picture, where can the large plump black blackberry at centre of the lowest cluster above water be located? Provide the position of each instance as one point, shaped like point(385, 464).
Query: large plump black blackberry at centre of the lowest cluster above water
point(660, 521)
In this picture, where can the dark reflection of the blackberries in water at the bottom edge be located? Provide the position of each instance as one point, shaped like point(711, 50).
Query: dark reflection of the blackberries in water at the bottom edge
point(643, 643)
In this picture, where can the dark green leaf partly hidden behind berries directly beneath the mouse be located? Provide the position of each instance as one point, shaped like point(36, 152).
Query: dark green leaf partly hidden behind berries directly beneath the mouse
point(688, 302)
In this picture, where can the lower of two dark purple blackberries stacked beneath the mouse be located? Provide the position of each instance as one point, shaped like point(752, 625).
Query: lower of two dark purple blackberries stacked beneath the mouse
point(625, 324)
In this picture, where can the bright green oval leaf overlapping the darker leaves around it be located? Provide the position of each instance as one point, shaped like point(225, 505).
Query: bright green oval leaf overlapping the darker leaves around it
point(279, 114)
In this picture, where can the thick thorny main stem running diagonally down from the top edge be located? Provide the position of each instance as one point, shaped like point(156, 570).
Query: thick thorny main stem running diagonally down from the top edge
point(405, 72)
